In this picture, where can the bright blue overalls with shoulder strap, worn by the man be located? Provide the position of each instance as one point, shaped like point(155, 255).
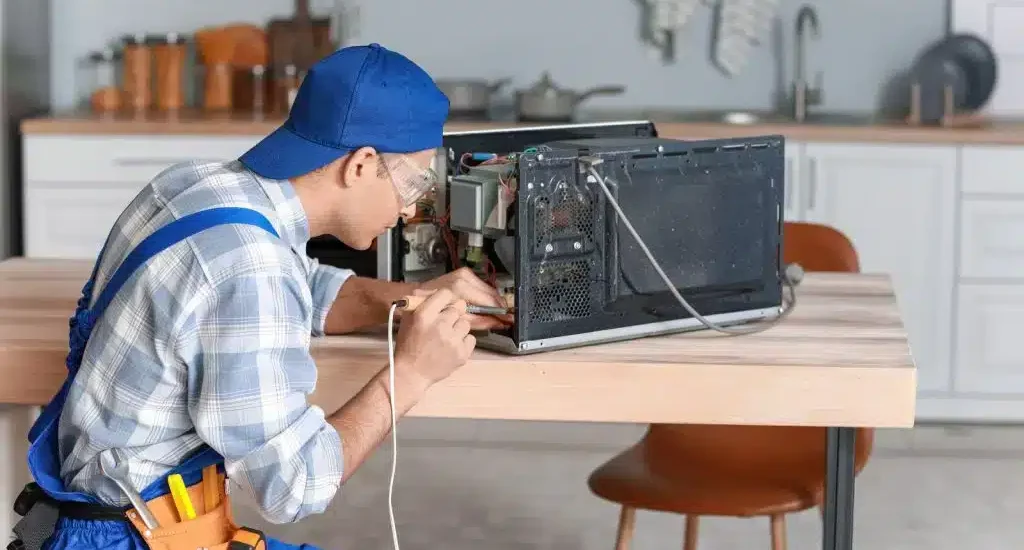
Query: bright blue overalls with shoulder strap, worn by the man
point(45, 460)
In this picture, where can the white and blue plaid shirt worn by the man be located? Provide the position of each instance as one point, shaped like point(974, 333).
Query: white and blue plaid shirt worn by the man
point(209, 344)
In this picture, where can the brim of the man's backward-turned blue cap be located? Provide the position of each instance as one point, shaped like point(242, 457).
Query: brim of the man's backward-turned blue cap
point(285, 155)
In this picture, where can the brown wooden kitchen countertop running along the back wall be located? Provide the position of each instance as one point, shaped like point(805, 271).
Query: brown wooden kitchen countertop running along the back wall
point(194, 123)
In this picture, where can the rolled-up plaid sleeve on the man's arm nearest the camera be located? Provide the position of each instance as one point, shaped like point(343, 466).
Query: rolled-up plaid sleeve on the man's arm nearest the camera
point(250, 376)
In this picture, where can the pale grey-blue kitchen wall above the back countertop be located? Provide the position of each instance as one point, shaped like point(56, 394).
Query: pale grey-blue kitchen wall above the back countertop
point(583, 43)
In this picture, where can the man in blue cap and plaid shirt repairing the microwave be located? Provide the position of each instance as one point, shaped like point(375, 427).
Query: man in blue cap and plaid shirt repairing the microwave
point(191, 347)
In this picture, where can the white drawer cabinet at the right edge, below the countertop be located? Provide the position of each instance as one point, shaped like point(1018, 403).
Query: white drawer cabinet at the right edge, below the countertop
point(989, 322)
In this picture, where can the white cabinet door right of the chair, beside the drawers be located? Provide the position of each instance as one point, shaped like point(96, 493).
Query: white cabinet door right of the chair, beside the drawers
point(898, 205)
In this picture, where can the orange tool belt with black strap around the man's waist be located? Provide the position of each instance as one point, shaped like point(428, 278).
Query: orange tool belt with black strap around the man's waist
point(211, 529)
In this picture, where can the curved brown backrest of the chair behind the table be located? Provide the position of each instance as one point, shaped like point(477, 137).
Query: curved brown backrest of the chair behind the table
point(784, 451)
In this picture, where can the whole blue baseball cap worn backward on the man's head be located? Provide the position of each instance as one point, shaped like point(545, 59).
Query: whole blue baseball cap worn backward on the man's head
point(356, 98)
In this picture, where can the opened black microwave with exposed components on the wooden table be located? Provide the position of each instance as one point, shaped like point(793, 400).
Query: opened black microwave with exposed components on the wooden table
point(523, 209)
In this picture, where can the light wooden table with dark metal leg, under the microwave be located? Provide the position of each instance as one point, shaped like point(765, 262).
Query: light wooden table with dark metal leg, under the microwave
point(840, 361)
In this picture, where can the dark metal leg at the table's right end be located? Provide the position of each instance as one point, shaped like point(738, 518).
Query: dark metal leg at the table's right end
point(838, 530)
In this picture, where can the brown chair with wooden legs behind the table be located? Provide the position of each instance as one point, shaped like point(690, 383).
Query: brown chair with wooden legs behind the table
point(740, 472)
